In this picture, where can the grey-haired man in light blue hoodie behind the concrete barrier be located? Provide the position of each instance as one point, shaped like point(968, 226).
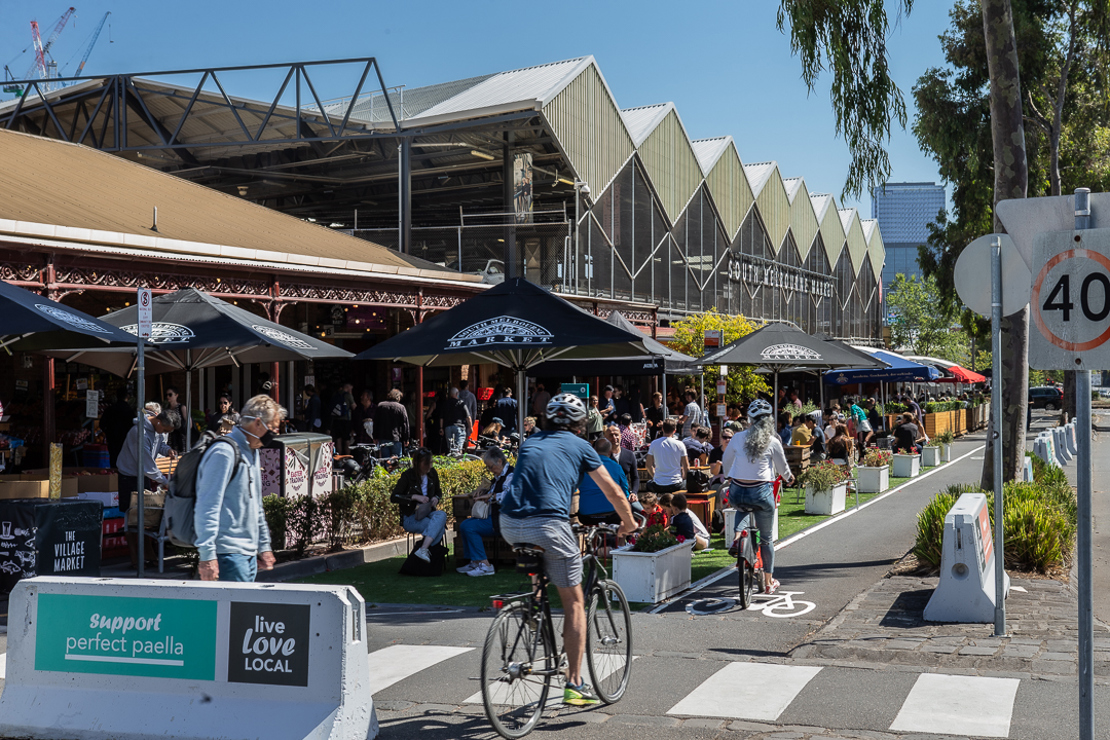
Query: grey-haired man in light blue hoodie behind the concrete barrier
point(233, 536)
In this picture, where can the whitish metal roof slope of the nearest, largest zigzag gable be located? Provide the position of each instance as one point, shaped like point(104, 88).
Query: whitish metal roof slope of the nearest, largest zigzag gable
point(528, 88)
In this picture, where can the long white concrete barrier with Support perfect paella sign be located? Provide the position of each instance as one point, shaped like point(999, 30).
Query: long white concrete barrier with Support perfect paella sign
point(99, 660)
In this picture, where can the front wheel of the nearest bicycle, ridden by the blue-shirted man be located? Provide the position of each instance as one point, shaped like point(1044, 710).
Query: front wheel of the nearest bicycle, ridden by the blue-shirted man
point(609, 641)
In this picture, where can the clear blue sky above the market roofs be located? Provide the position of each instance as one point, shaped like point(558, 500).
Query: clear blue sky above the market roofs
point(724, 65)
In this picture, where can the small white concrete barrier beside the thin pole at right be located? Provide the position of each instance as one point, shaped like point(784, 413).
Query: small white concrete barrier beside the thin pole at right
point(966, 593)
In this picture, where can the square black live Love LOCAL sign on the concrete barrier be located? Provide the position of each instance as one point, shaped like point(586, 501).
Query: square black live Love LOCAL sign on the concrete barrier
point(269, 644)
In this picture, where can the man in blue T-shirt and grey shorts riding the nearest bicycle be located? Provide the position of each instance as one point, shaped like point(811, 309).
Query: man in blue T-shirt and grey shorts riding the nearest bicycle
point(537, 511)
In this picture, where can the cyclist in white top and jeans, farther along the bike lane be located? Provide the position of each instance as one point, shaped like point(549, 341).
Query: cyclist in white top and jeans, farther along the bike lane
point(753, 461)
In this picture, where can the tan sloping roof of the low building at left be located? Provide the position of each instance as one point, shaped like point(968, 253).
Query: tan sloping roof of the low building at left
point(67, 186)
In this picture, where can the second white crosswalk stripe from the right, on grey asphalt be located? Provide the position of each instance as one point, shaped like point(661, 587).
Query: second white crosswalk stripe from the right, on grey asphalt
point(760, 692)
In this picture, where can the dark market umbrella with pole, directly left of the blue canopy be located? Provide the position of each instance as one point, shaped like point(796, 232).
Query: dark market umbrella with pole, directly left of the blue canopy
point(784, 347)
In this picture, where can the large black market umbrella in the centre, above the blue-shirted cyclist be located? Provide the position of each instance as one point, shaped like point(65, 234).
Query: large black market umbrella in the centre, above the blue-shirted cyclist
point(516, 325)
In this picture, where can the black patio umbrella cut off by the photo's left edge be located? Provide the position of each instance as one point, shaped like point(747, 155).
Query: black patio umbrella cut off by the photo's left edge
point(28, 315)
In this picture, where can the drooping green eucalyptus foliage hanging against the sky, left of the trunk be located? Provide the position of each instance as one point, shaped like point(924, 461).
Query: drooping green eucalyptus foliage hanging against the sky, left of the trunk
point(850, 39)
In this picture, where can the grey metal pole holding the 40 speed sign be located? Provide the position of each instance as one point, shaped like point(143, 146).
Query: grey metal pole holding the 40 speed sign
point(1084, 501)
